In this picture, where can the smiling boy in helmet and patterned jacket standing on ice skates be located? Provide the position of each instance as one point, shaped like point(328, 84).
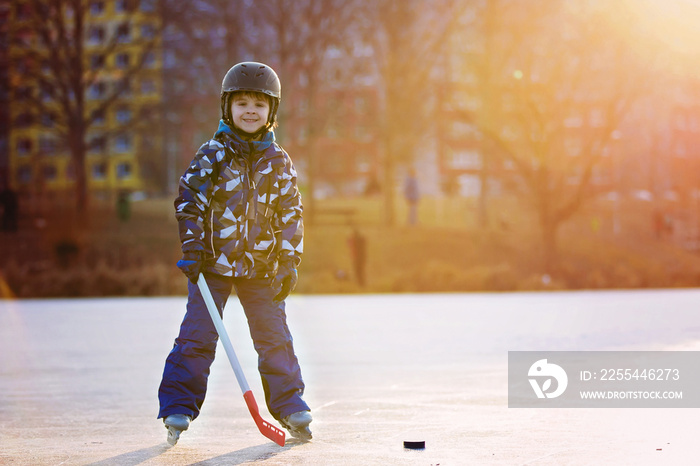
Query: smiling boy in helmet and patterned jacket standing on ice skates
point(240, 220)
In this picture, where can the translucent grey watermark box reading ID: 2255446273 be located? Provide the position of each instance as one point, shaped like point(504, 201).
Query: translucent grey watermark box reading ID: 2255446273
point(603, 379)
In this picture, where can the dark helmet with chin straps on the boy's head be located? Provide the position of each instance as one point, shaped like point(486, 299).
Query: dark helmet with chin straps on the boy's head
point(255, 77)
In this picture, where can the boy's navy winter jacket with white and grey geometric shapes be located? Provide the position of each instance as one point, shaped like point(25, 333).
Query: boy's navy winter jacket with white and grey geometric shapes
point(239, 203)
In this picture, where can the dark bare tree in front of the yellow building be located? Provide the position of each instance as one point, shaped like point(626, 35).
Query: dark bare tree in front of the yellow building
point(67, 84)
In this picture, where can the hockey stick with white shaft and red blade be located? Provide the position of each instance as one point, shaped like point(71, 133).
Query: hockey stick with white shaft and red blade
point(267, 429)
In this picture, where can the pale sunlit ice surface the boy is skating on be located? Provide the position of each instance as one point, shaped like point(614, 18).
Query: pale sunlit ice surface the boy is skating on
point(78, 381)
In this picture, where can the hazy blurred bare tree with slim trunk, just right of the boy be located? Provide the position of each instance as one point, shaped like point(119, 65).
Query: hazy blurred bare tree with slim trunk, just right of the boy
point(409, 38)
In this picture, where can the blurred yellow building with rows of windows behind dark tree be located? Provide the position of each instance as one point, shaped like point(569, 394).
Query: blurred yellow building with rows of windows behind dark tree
point(121, 89)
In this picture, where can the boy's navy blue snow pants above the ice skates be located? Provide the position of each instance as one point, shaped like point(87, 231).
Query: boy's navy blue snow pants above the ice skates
point(184, 383)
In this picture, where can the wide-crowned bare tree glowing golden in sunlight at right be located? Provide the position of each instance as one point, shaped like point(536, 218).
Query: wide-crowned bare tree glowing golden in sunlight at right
point(559, 84)
